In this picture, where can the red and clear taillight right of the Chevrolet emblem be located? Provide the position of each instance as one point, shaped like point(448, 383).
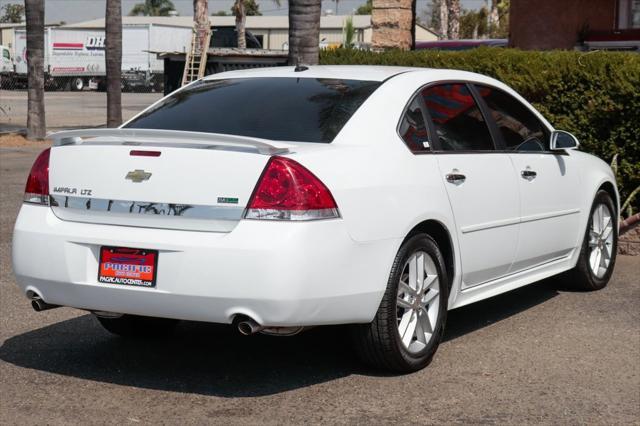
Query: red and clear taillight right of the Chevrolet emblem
point(288, 191)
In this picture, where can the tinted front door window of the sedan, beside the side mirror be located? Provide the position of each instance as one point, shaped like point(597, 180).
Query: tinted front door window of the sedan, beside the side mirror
point(520, 128)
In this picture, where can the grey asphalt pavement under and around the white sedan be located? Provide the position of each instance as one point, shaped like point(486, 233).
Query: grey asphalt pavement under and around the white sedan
point(536, 355)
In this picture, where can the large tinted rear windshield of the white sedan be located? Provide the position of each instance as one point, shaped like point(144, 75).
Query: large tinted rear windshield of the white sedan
point(285, 109)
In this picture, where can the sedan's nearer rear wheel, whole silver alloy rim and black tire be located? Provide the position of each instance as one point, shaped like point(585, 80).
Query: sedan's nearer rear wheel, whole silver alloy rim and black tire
point(407, 329)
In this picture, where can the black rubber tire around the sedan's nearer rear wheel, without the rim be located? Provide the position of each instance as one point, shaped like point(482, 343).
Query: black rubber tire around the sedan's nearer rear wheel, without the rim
point(379, 343)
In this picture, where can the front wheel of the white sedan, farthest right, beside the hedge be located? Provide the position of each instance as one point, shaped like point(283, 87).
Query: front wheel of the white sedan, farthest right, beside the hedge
point(599, 247)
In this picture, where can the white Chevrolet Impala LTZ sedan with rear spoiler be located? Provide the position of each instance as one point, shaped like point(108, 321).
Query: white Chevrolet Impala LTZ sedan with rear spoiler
point(281, 199)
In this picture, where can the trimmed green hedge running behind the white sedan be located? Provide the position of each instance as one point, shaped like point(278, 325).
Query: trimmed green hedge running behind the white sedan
point(595, 95)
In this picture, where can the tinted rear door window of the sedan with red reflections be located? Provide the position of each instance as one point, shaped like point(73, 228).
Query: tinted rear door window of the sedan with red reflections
point(458, 121)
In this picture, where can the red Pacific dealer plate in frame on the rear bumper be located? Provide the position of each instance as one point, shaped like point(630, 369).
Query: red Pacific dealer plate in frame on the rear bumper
point(125, 266)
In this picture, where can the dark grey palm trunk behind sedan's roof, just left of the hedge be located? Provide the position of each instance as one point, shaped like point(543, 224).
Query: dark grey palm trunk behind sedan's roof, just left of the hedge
point(304, 31)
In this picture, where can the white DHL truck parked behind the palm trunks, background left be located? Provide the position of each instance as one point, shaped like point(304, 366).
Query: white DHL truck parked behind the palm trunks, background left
point(74, 57)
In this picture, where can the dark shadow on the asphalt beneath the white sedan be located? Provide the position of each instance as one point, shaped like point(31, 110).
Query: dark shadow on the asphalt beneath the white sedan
point(212, 359)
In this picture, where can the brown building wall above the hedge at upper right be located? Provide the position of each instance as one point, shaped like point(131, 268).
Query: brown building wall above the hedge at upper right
point(556, 24)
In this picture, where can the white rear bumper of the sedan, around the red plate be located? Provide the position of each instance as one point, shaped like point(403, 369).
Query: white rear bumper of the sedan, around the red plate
point(279, 274)
